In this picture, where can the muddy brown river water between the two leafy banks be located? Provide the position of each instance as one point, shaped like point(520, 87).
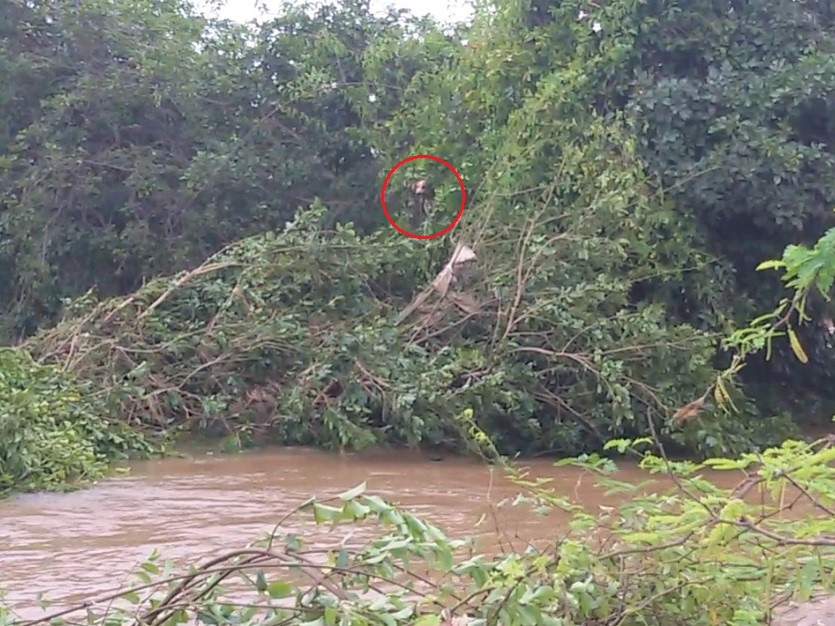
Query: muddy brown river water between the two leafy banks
point(77, 545)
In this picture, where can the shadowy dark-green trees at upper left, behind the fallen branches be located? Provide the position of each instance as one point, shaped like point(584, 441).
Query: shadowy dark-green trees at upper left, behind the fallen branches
point(164, 137)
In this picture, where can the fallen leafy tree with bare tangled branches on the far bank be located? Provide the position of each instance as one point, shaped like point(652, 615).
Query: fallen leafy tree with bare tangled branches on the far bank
point(339, 340)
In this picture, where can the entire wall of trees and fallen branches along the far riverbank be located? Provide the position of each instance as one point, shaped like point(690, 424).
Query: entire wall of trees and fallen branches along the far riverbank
point(197, 203)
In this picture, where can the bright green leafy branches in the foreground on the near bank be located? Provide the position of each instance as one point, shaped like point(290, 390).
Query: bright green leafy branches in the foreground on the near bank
point(693, 554)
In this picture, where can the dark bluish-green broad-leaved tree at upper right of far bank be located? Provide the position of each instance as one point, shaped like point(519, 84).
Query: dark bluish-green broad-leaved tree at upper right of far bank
point(737, 118)
